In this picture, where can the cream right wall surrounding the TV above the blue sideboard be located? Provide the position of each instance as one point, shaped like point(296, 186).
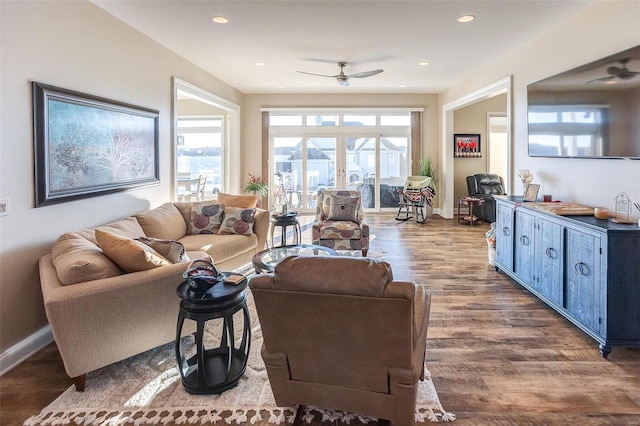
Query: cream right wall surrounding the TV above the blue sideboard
point(601, 29)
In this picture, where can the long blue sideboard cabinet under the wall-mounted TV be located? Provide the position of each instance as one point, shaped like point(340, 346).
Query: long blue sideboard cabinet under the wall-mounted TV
point(586, 269)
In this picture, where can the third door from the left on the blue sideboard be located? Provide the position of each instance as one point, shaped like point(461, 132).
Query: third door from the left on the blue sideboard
point(549, 258)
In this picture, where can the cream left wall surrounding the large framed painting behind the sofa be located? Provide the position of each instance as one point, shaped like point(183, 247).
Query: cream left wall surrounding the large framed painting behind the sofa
point(78, 46)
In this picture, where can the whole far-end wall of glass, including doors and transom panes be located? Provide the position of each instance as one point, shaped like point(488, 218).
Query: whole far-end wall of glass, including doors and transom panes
point(368, 151)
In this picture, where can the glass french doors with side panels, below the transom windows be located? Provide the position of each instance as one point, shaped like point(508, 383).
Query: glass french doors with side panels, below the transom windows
point(375, 165)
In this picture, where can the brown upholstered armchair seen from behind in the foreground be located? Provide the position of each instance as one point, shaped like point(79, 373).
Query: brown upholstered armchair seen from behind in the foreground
point(340, 334)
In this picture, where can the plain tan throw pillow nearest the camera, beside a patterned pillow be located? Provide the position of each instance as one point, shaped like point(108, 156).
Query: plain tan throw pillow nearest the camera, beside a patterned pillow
point(129, 254)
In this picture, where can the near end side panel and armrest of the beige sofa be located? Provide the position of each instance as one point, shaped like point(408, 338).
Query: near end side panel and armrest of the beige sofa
point(96, 323)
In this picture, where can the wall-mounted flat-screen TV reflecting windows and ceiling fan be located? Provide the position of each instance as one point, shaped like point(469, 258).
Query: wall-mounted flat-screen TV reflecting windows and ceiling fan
point(592, 111)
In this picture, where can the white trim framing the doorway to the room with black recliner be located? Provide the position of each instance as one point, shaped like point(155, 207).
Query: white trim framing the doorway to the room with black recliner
point(497, 88)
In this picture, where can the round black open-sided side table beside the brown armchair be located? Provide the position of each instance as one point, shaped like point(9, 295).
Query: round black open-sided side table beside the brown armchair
point(213, 370)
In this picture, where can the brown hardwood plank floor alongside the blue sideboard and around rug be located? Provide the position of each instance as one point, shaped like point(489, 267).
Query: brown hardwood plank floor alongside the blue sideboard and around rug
point(497, 355)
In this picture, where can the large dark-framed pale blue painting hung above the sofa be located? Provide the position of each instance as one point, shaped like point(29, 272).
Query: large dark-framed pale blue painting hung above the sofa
point(86, 146)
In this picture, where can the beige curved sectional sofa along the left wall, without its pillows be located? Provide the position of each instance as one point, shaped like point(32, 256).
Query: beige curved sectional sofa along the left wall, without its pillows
point(99, 313)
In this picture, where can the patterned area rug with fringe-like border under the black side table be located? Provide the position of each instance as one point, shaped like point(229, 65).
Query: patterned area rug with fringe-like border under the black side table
point(146, 390)
